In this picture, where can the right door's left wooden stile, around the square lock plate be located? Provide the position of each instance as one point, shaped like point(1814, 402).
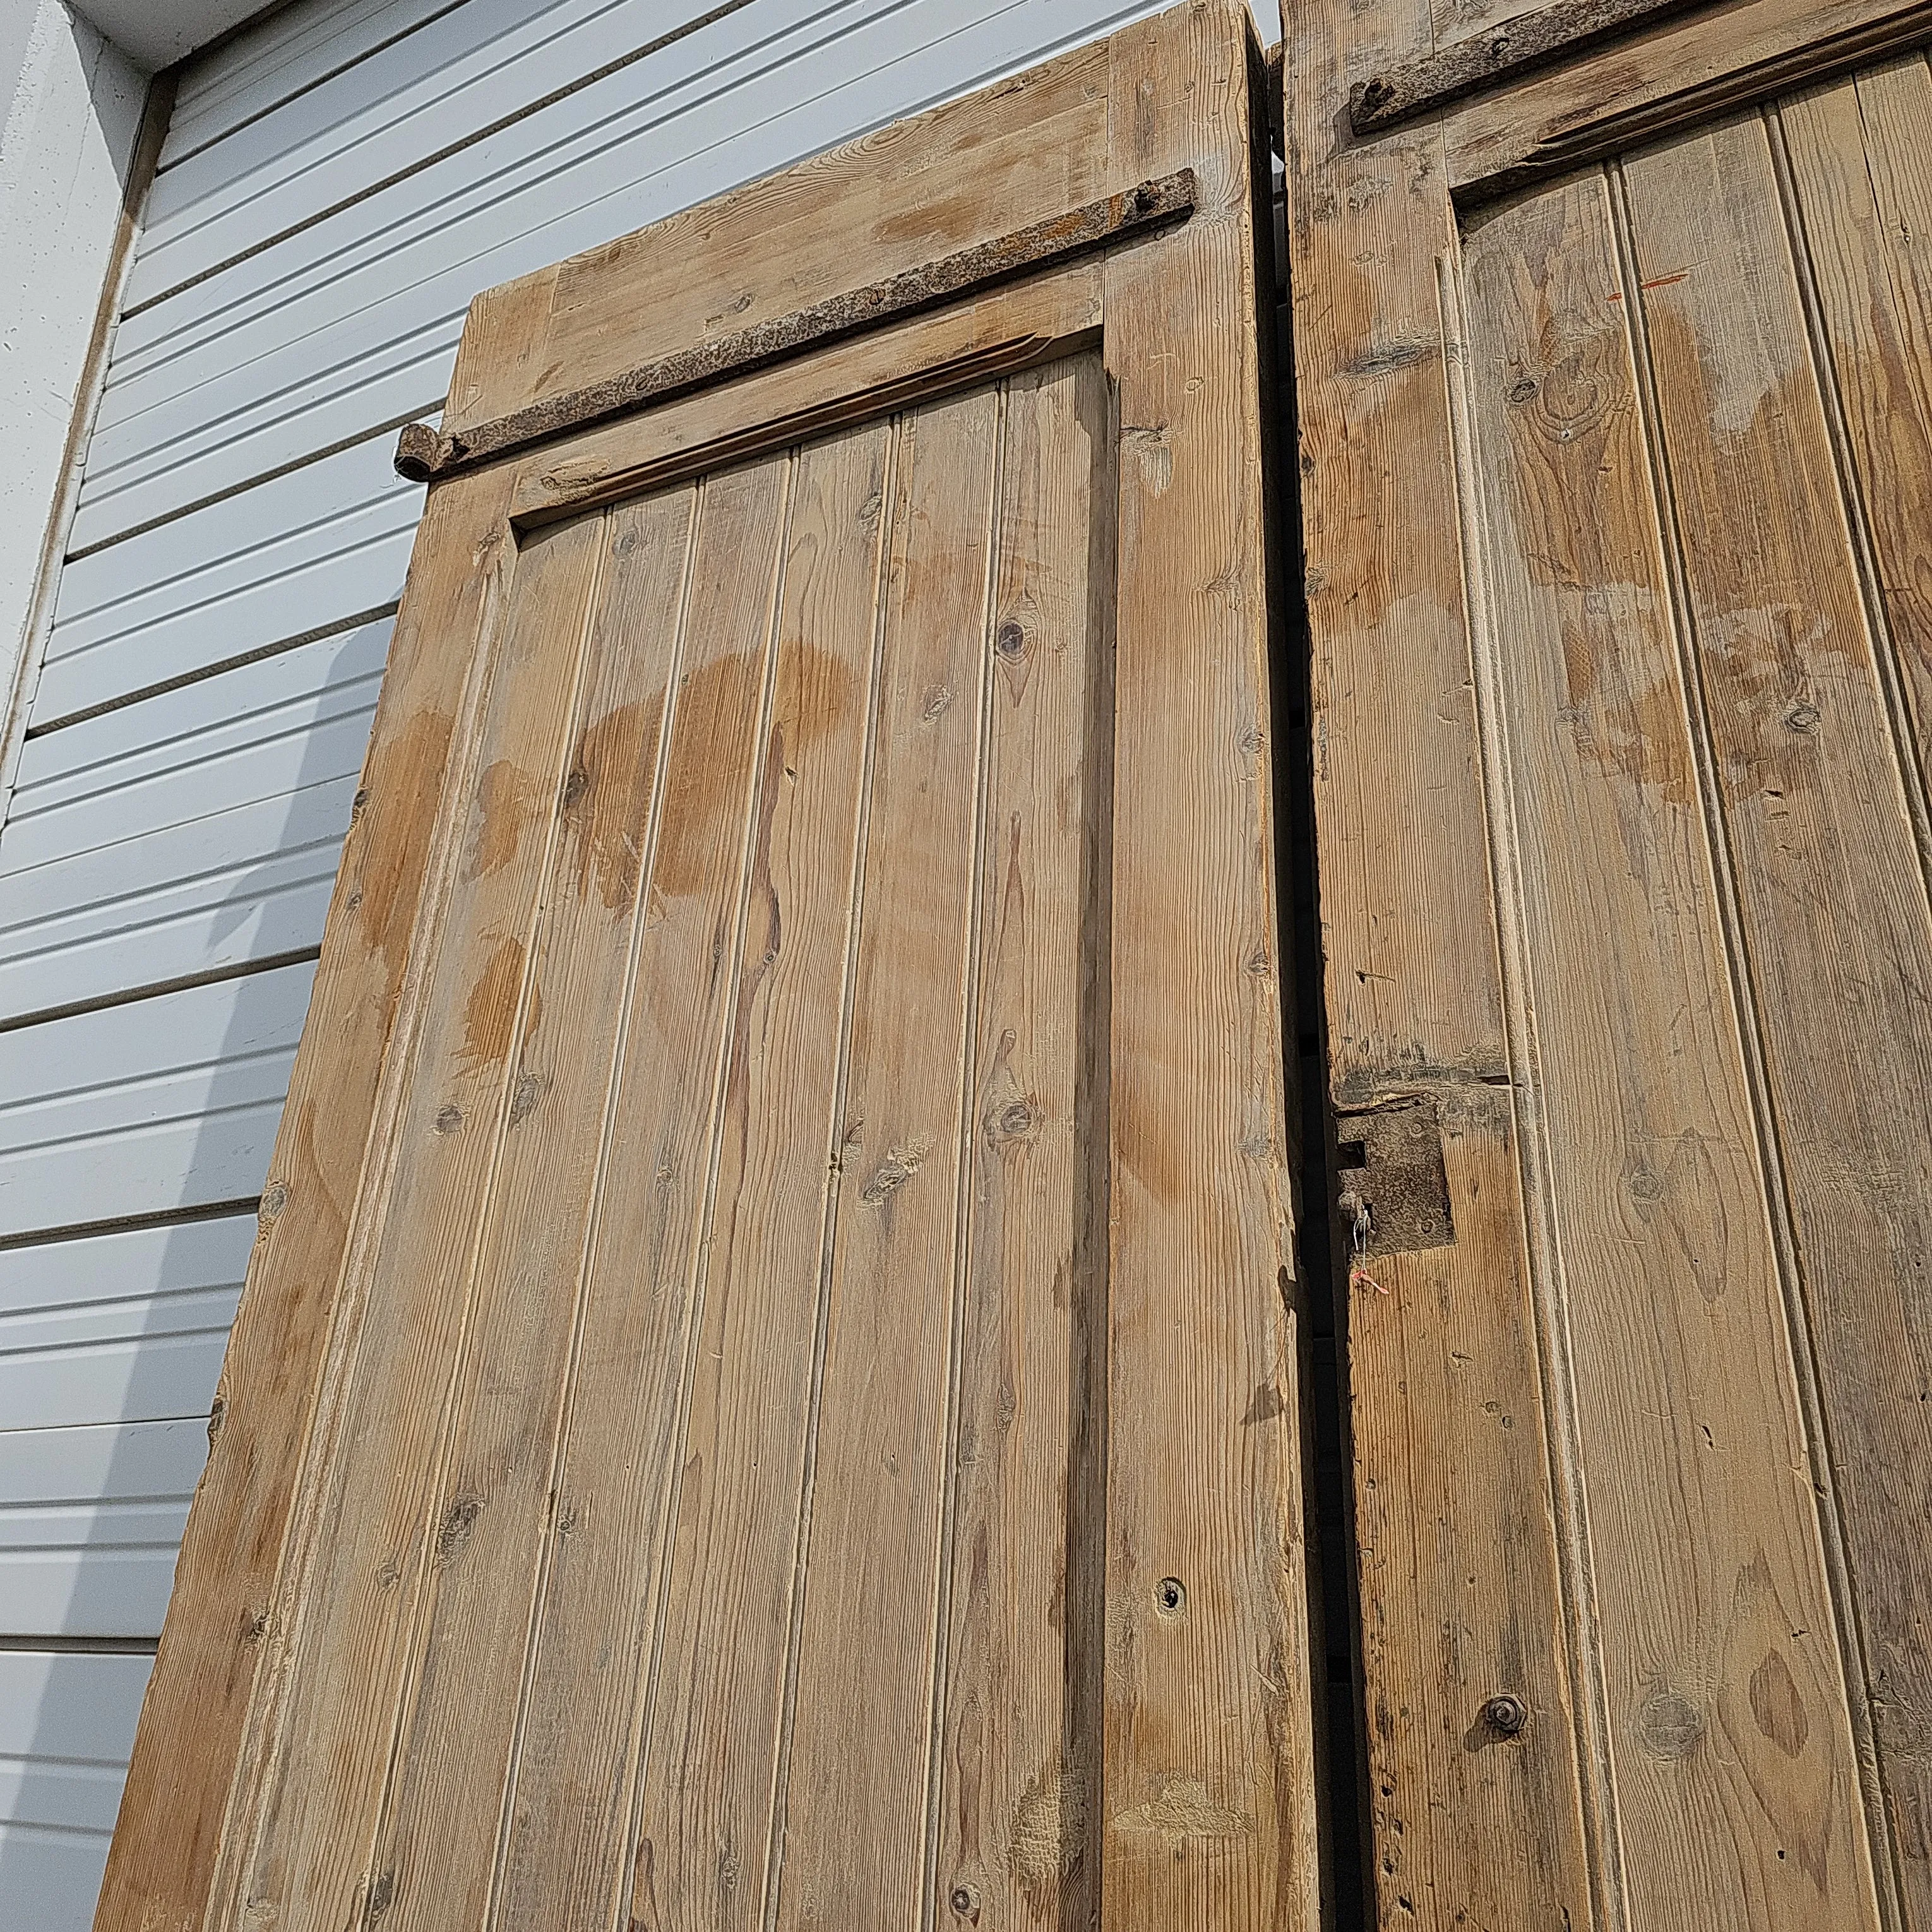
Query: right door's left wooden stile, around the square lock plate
point(1462, 1572)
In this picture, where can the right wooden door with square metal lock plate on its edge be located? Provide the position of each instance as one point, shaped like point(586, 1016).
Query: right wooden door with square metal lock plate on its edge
point(1614, 372)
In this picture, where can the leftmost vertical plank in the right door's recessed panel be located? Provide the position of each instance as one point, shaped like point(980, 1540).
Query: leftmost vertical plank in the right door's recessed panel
point(1717, 1608)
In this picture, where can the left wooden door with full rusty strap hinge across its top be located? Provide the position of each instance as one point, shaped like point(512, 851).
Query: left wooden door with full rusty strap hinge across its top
point(768, 1386)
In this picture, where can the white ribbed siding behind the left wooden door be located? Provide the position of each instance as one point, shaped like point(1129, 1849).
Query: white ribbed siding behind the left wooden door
point(333, 192)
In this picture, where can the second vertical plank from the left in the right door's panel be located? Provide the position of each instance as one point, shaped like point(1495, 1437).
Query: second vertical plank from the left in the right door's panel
point(1819, 812)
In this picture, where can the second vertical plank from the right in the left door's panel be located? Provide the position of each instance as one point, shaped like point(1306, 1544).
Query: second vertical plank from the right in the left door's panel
point(851, 1836)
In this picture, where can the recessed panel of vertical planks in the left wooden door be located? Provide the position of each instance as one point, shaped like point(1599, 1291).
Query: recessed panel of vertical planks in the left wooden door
point(720, 1465)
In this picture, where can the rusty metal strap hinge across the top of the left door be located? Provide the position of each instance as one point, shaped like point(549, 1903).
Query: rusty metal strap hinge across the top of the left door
point(426, 457)
